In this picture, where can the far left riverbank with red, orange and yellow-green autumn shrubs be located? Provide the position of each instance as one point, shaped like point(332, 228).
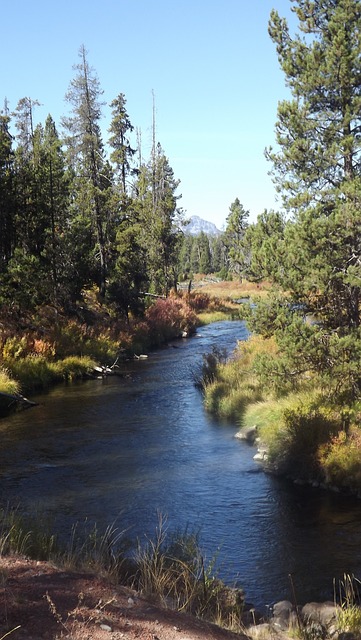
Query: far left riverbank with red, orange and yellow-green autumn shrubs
point(38, 352)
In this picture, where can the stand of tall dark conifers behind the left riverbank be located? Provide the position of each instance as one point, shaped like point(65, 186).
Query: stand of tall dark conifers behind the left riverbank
point(78, 211)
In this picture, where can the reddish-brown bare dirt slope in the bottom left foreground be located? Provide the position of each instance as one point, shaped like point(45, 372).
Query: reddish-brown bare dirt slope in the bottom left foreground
point(39, 601)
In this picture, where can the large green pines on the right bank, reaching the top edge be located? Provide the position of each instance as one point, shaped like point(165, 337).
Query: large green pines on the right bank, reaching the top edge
point(316, 168)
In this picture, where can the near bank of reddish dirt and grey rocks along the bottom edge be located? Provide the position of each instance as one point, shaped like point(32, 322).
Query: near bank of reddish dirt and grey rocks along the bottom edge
point(42, 601)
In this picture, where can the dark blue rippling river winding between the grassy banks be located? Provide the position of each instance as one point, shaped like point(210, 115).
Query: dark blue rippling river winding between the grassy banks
point(122, 450)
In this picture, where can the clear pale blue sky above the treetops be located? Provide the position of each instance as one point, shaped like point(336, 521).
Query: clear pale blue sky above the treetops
point(212, 67)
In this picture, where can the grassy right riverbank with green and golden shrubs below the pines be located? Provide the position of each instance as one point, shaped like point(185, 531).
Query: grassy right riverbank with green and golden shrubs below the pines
point(304, 432)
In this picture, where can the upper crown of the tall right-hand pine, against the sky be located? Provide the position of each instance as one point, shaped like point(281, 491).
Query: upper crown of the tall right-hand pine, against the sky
point(318, 130)
